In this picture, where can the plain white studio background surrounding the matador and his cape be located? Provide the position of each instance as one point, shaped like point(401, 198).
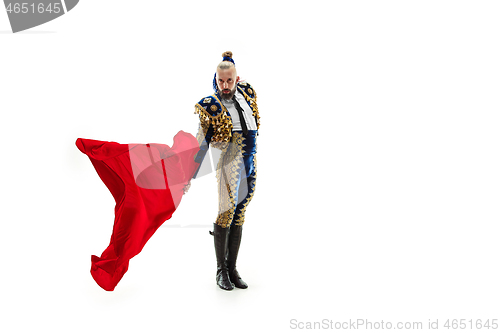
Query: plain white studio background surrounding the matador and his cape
point(378, 183)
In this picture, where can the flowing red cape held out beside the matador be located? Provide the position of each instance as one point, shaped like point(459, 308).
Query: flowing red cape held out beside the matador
point(147, 182)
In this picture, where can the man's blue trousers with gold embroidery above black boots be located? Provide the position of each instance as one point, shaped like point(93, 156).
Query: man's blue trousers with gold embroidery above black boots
point(236, 178)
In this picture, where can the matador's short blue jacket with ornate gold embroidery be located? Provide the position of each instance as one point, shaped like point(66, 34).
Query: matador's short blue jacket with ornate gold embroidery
point(216, 126)
